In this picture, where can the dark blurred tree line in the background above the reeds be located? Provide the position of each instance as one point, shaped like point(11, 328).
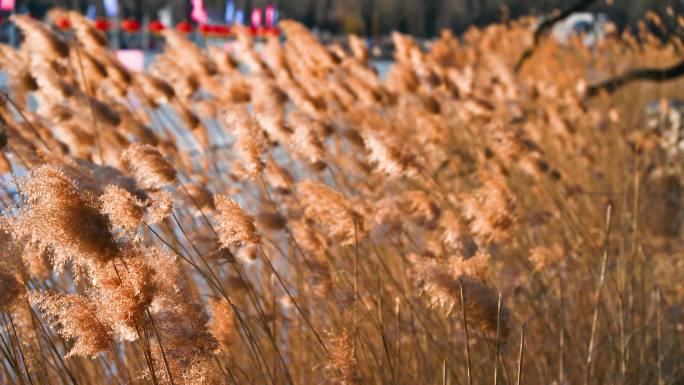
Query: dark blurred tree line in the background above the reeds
point(424, 18)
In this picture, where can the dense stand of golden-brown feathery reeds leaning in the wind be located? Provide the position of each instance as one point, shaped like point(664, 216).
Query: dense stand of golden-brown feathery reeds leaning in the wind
point(289, 217)
